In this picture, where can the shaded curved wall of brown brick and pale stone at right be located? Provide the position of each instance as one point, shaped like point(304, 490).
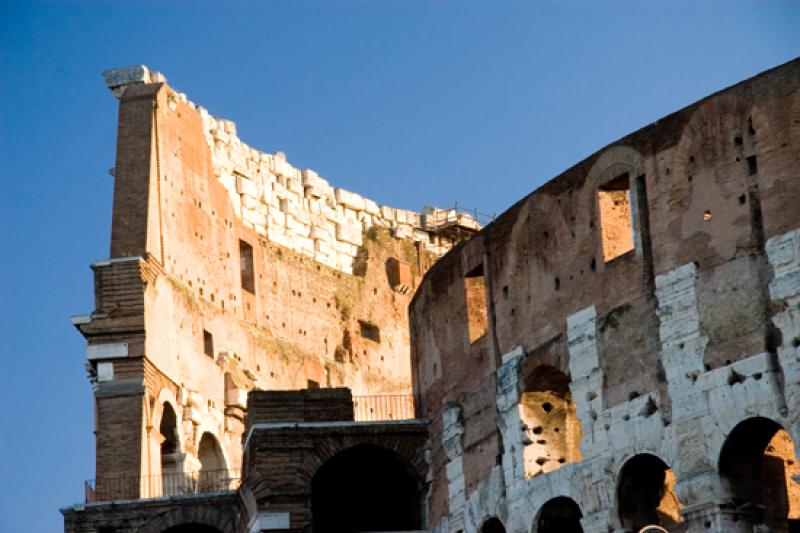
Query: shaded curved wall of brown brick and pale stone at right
point(681, 328)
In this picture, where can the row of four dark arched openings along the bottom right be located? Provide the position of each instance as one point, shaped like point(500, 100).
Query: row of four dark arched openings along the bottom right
point(757, 465)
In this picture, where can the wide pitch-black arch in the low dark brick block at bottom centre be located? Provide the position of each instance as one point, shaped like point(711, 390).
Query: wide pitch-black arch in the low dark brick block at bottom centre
point(365, 488)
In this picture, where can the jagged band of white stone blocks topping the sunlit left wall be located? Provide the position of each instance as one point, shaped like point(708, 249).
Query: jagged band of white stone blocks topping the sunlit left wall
point(292, 207)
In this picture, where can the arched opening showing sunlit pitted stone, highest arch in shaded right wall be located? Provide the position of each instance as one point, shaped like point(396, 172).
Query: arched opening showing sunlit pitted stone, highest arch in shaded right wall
point(554, 431)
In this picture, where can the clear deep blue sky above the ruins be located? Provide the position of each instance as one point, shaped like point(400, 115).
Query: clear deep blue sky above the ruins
point(408, 103)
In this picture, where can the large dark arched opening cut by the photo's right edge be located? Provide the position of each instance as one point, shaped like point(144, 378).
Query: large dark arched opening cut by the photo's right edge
point(757, 463)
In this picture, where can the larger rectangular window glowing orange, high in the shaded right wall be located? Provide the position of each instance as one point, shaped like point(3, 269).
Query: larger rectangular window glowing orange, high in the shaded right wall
point(616, 217)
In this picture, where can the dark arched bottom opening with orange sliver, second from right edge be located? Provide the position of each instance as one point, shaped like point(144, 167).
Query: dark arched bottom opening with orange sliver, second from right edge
point(646, 495)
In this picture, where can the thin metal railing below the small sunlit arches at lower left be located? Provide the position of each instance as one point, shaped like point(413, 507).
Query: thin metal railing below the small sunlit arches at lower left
point(167, 484)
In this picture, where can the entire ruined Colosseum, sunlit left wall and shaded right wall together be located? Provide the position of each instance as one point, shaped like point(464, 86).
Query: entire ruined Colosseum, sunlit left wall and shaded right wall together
point(617, 352)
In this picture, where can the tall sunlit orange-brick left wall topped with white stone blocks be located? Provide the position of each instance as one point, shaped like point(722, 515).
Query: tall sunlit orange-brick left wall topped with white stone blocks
point(231, 270)
